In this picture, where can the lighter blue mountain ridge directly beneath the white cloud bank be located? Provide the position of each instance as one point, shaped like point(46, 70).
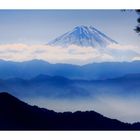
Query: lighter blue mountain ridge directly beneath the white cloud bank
point(94, 71)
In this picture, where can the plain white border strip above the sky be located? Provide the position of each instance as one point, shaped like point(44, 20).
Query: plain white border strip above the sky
point(69, 4)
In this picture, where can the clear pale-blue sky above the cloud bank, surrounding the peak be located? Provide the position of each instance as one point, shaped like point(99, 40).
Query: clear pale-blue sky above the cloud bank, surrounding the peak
point(42, 26)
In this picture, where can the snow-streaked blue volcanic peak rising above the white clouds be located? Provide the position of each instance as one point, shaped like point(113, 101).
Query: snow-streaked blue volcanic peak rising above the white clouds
point(83, 36)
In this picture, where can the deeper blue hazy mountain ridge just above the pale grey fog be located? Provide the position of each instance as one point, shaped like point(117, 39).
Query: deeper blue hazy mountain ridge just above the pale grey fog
point(57, 87)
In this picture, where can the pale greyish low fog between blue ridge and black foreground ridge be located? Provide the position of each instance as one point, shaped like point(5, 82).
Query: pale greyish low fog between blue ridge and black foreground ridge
point(123, 109)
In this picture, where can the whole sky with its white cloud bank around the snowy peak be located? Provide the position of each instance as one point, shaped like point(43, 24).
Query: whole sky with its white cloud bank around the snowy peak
point(25, 33)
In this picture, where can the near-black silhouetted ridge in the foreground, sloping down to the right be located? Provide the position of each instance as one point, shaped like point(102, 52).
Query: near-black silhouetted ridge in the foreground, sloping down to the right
point(17, 115)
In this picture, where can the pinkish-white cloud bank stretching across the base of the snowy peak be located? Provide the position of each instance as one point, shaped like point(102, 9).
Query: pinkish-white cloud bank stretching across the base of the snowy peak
point(72, 54)
